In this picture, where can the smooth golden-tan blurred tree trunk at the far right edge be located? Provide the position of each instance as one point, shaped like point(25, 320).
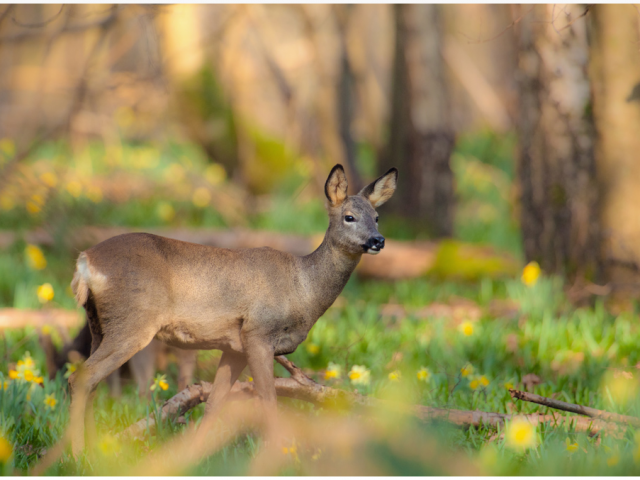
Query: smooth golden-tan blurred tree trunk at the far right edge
point(615, 72)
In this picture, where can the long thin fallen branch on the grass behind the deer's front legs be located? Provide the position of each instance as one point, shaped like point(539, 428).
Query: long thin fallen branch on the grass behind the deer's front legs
point(301, 387)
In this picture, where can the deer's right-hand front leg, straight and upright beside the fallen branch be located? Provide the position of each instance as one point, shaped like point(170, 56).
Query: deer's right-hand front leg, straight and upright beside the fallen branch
point(260, 355)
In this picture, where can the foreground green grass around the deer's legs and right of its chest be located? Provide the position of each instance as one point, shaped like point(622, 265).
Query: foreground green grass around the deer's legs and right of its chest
point(543, 339)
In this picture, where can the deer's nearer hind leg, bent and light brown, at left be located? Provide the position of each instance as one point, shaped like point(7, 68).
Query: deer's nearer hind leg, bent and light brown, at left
point(111, 352)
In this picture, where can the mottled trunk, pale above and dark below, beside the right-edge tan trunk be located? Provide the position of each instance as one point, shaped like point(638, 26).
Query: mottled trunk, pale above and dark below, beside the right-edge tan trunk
point(559, 195)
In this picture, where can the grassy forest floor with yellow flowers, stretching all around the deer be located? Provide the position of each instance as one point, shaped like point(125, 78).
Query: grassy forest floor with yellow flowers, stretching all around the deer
point(438, 342)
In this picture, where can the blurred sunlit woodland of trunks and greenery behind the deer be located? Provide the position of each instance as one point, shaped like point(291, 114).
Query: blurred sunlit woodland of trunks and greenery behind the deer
point(515, 129)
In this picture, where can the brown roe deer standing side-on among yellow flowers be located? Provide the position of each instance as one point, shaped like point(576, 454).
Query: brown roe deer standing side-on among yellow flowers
point(253, 304)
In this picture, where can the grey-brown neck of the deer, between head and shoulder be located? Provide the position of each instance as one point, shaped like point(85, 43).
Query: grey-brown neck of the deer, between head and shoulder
point(326, 272)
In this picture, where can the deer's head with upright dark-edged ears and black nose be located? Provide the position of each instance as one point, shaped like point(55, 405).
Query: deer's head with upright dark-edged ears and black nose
point(353, 220)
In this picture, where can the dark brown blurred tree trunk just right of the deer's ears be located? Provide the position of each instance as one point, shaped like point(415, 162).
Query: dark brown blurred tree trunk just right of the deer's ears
point(421, 138)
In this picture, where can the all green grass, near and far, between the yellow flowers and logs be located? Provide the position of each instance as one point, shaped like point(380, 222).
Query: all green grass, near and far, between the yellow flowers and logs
point(574, 352)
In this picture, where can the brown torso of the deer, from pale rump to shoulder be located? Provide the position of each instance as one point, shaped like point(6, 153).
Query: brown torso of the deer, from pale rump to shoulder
point(171, 282)
